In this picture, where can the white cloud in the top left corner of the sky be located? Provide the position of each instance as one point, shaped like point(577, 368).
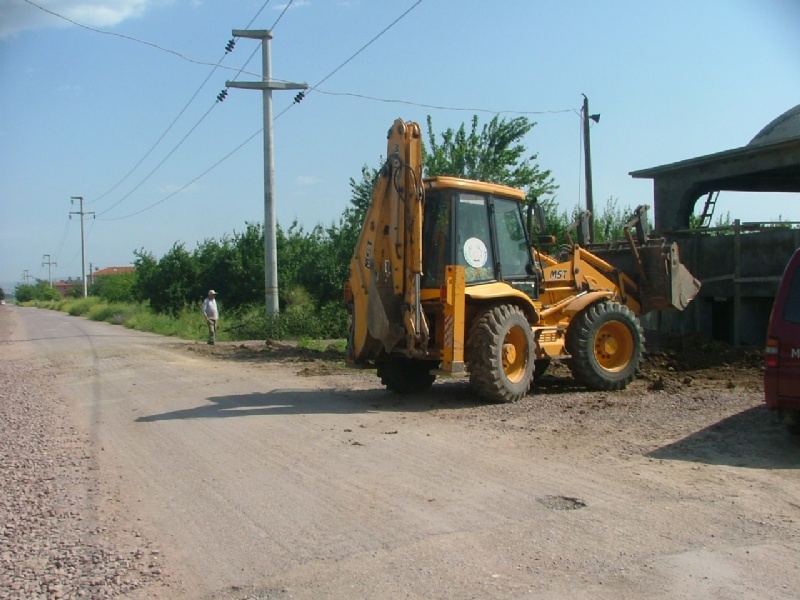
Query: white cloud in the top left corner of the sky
point(18, 15)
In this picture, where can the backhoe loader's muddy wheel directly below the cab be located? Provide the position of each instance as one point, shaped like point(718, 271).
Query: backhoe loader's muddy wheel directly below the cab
point(500, 354)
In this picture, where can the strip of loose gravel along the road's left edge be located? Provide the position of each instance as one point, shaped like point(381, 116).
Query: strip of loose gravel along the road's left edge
point(52, 544)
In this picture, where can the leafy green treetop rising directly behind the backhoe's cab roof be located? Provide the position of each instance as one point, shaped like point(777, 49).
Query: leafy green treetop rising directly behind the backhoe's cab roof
point(495, 154)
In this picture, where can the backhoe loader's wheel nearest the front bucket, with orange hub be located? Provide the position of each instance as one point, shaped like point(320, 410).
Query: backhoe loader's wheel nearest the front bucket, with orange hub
point(605, 341)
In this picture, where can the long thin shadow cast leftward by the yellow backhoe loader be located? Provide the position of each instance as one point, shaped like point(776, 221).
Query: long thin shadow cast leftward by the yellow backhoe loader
point(447, 396)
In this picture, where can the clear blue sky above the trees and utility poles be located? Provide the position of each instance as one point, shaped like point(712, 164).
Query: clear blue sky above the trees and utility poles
point(79, 109)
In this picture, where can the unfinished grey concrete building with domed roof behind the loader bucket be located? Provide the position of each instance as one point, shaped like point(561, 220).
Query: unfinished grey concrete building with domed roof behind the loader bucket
point(740, 267)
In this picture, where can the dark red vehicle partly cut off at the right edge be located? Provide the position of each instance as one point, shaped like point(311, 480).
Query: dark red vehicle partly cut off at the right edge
point(782, 352)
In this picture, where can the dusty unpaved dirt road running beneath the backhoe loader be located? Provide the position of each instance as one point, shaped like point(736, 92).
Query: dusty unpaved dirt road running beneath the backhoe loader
point(251, 472)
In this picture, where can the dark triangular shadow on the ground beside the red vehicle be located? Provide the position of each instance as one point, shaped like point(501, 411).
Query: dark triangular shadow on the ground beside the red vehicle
point(752, 438)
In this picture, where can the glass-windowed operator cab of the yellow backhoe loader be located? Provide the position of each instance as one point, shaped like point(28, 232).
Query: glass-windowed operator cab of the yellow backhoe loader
point(478, 226)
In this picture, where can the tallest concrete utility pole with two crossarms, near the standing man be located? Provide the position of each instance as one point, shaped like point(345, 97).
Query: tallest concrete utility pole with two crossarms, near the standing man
point(266, 85)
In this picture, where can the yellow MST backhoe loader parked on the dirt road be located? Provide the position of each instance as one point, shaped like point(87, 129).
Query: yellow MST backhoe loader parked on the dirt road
point(447, 279)
